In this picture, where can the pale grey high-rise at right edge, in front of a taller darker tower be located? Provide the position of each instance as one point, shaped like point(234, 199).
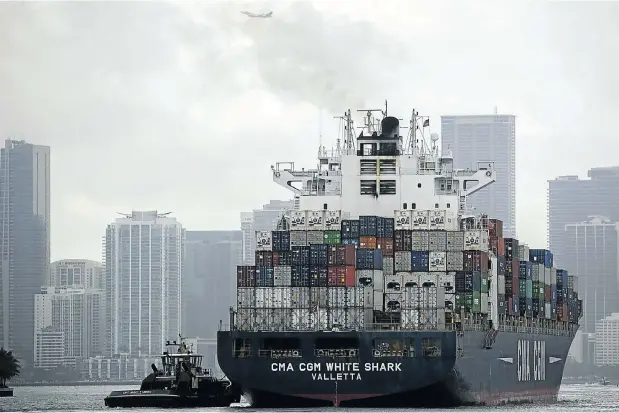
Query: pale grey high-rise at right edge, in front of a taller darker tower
point(591, 255)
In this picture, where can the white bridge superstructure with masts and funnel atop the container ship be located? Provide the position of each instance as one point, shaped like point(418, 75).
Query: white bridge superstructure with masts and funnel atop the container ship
point(381, 171)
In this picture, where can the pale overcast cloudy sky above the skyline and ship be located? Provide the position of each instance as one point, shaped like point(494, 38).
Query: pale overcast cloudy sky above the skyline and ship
point(183, 107)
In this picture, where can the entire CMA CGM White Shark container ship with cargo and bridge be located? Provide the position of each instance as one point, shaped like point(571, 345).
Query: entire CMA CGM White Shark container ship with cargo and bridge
point(380, 288)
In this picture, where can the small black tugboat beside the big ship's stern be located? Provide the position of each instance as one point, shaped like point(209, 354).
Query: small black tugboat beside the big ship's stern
point(182, 382)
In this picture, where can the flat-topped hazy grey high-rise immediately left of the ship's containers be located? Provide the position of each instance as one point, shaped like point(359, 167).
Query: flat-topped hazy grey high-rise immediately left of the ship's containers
point(209, 280)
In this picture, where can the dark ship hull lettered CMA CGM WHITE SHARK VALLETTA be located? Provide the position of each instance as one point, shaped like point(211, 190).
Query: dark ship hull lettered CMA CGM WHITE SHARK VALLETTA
point(517, 367)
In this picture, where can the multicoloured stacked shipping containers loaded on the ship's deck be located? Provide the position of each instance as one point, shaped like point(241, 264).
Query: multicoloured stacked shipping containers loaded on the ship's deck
point(418, 269)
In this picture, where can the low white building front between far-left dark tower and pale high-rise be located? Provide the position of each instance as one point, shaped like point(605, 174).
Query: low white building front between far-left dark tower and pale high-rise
point(76, 313)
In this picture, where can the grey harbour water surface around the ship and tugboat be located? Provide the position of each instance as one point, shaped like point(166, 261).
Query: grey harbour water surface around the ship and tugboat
point(573, 398)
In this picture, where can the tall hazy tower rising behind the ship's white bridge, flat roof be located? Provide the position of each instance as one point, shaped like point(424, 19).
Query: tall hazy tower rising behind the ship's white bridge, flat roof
point(486, 138)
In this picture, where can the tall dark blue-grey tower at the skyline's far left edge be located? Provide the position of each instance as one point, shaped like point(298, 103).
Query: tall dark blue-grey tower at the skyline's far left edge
point(24, 241)
